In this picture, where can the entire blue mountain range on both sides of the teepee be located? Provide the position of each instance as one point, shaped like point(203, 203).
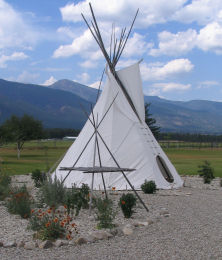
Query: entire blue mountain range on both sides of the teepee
point(58, 105)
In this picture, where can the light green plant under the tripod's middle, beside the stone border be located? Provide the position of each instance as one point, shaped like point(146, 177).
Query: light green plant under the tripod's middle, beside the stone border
point(105, 213)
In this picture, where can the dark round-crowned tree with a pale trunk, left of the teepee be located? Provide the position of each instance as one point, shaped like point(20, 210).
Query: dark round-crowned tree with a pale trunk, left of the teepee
point(20, 130)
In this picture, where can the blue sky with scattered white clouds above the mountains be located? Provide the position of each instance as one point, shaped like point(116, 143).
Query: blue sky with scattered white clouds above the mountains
point(180, 42)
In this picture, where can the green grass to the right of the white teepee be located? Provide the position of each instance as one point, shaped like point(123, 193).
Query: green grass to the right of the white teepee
point(186, 161)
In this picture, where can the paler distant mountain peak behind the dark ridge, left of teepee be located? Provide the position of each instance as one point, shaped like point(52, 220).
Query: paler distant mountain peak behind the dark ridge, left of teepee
point(87, 93)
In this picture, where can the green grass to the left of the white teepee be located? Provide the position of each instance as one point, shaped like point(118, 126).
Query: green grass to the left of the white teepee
point(35, 155)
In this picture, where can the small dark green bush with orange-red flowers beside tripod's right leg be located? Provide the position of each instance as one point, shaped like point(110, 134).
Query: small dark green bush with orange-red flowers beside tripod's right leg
point(127, 202)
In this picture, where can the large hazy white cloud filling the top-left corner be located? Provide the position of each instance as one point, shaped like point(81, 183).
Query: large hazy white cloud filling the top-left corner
point(14, 31)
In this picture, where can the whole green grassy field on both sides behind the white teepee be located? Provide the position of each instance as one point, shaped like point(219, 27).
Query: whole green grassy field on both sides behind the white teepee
point(43, 155)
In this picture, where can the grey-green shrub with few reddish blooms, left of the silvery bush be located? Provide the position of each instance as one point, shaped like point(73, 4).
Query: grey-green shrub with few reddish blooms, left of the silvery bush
point(19, 202)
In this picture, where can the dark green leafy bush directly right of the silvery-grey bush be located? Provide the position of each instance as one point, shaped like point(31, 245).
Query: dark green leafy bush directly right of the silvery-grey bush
point(77, 198)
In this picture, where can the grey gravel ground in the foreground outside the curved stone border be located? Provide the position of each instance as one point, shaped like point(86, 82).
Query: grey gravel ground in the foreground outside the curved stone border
point(192, 231)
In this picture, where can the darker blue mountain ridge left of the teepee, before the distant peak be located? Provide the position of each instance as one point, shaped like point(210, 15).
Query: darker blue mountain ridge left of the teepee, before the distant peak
point(55, 108)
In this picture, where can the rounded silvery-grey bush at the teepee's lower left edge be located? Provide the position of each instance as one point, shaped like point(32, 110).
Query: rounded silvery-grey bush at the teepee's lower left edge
point(52, 192)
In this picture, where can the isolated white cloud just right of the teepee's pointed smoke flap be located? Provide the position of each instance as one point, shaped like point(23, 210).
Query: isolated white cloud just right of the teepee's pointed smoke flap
point(160, 71)
